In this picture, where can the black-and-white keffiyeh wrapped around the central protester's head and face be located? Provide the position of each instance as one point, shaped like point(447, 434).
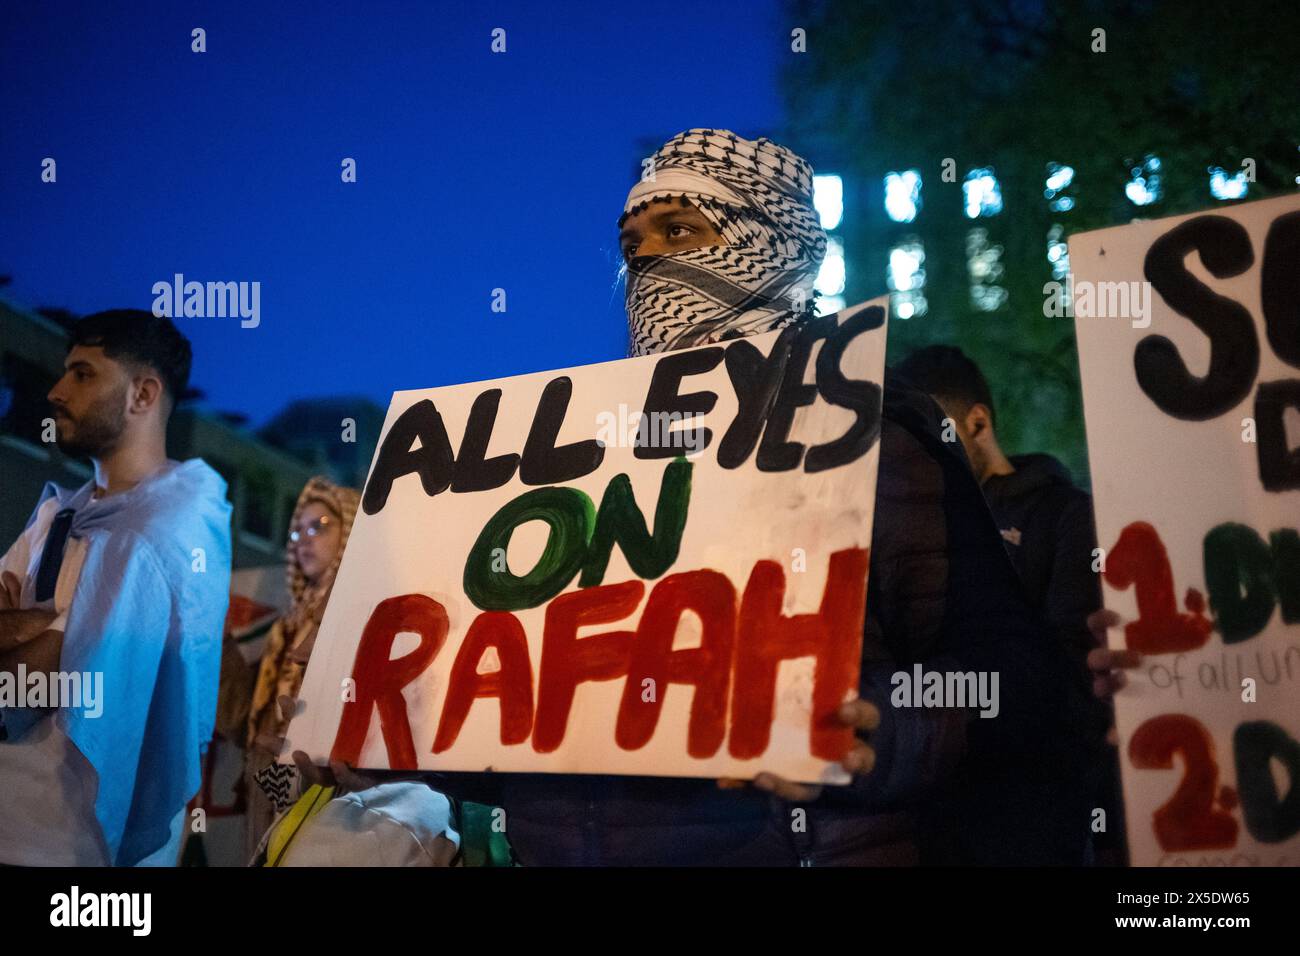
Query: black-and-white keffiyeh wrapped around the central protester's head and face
point(759, 196)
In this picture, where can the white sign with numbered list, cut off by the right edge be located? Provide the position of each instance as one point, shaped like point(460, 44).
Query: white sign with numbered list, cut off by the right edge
point(1193, 405)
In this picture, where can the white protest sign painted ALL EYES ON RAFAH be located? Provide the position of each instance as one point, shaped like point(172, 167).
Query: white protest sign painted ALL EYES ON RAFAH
point(541, 579)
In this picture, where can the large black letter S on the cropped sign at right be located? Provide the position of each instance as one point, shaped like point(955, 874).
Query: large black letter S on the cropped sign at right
point(1225, 249)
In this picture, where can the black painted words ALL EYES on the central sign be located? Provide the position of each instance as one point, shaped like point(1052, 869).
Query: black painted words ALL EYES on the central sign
point(769, 391)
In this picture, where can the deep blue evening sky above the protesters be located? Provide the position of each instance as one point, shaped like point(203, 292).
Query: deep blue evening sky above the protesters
point(475, 171)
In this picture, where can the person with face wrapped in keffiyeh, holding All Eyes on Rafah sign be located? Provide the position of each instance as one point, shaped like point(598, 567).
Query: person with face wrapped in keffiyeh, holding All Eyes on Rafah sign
point(725, 243)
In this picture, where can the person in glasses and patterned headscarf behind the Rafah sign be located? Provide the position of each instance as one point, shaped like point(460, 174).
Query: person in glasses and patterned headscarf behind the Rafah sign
point(318, 534)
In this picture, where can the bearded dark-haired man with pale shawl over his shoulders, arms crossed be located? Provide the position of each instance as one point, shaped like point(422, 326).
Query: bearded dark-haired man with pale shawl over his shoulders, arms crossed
point(125, 583)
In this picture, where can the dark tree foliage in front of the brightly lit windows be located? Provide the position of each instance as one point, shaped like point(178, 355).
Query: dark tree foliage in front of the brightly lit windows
point(891, 86)
